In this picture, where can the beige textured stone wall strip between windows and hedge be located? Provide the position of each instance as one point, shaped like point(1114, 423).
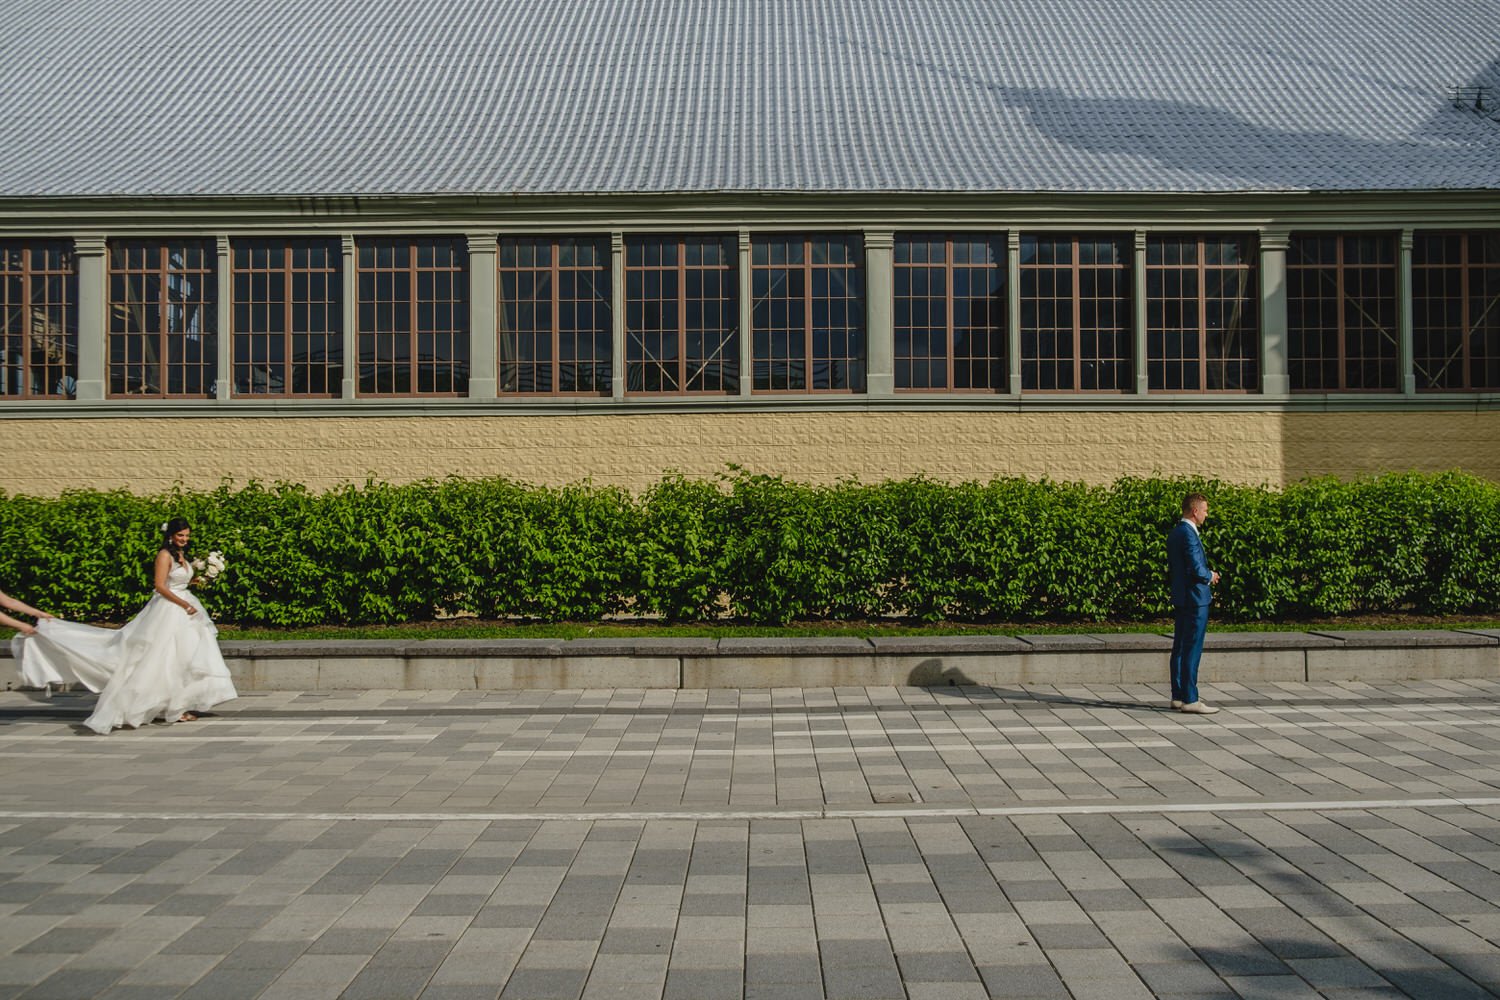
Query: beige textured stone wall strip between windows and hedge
point(634, 451)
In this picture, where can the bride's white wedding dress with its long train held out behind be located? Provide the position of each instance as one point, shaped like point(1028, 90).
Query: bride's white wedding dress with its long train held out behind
point(161, 663)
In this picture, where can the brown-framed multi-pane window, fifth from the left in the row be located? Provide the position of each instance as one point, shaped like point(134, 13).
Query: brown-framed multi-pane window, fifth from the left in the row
point(554, 316)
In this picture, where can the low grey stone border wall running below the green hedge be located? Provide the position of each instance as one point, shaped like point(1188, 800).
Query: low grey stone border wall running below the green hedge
point(850, 662)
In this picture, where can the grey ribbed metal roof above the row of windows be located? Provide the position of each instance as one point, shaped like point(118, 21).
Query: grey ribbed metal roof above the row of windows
point(569, 97)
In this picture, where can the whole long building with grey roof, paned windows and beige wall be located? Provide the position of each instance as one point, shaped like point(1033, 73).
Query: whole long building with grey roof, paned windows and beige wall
point(815, 241)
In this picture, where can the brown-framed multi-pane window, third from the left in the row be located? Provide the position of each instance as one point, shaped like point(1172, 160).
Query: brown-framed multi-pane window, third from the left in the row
point(289, 319)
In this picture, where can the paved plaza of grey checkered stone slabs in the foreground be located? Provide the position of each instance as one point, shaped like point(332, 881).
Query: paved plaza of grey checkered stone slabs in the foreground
point(1313, 840)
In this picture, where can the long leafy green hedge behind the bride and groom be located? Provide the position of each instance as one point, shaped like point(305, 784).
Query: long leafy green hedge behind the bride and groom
point(767, 549)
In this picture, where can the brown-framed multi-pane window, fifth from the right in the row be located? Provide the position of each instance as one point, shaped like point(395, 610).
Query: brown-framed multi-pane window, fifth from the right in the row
point(950, 313)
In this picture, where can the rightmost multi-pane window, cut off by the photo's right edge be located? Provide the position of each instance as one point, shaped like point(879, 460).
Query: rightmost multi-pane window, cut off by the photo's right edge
point(1456, 311)
